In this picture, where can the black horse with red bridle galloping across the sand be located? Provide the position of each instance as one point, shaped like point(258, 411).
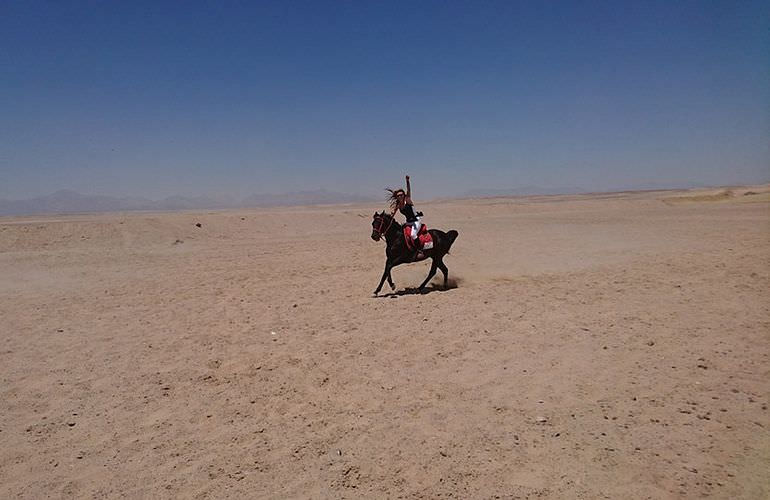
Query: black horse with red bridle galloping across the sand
point(396, 251)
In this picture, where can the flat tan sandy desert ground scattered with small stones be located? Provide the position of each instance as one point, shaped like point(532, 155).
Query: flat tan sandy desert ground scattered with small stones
point(608, 346)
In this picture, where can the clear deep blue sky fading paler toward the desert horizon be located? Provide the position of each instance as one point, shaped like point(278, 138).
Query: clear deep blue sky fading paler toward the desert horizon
point(236, 97)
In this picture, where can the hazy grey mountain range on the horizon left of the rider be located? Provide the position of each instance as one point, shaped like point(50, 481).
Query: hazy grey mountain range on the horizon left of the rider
point(66, 201)
